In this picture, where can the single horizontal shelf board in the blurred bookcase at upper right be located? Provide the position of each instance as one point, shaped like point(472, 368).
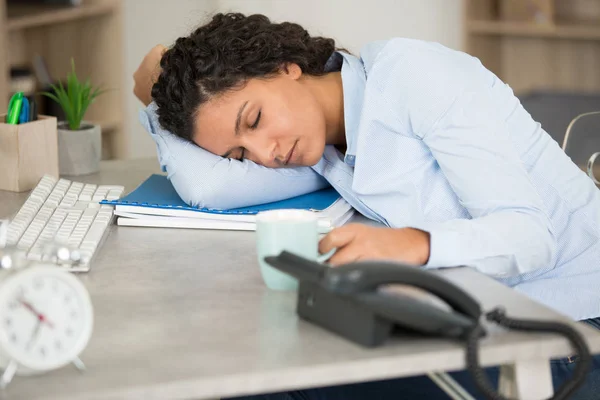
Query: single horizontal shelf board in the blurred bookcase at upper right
point(526, 29)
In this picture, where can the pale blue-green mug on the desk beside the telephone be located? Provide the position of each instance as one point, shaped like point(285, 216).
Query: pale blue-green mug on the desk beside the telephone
point(295, 231)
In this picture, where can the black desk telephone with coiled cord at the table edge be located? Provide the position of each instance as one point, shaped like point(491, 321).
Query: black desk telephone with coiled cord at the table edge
point(347, 301)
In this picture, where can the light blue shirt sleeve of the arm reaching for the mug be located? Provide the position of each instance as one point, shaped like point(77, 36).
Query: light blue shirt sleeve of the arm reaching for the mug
point(454, 111)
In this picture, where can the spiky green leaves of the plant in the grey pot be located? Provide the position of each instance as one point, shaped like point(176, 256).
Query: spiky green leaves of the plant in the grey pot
point(75, 98)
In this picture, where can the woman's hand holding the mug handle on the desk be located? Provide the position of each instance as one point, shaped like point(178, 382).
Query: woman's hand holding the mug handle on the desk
point(362, 242)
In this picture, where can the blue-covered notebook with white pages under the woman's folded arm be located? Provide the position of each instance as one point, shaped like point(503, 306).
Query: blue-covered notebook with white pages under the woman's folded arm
point(156, 196)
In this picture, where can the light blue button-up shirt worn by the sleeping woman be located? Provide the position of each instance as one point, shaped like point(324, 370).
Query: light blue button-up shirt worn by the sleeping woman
point(438, 142)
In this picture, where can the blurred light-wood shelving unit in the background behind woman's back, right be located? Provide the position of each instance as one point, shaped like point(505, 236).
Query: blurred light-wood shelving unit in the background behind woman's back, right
point(561, 55)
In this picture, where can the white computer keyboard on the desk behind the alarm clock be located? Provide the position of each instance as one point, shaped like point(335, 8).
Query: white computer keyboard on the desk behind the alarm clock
point(64, 212)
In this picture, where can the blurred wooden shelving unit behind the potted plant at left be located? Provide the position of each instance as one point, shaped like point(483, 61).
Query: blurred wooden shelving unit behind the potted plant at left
point(57, 33)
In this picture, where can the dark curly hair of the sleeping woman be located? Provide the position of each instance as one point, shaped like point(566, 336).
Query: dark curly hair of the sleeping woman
point(223, 55)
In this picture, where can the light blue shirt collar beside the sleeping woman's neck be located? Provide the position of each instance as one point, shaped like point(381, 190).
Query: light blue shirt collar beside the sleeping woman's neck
point(353, 81)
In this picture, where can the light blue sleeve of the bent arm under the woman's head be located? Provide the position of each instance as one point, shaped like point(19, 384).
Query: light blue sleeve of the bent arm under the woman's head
point(204, 179)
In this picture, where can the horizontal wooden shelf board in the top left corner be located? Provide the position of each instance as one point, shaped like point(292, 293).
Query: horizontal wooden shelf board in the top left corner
point(31, 16)
